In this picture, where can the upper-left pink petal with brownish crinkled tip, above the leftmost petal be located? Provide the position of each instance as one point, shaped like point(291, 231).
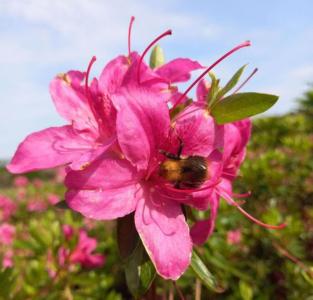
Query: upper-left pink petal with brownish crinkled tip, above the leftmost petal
point(71, 102)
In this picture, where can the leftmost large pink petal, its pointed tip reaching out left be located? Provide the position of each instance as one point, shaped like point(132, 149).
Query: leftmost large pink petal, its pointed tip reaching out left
point(48, 148)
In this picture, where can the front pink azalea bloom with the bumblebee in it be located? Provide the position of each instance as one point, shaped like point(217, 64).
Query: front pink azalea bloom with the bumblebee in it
point(121, 183)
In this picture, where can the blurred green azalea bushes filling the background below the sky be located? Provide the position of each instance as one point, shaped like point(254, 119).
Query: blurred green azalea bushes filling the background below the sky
point(249, 262)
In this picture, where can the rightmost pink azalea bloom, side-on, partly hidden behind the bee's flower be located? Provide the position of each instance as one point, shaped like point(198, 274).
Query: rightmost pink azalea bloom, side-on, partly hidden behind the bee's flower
point(236, 136)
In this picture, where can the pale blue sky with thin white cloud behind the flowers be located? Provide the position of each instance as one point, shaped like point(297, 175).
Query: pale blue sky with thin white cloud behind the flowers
point(40, 38)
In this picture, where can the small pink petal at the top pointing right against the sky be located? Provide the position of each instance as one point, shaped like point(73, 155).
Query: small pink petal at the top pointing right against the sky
point(178, 70)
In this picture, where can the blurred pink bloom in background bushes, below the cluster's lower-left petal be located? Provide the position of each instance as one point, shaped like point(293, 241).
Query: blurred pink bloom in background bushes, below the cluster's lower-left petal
point(82, 253)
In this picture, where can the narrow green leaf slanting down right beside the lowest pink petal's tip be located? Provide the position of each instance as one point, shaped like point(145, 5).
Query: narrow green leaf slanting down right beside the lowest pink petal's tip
point(204, 274)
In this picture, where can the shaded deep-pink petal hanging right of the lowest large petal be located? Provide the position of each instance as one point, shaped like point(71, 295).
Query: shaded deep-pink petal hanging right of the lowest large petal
point(201, 230)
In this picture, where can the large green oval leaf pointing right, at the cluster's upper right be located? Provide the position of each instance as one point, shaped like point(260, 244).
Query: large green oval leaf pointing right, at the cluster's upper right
point(242, 105)
